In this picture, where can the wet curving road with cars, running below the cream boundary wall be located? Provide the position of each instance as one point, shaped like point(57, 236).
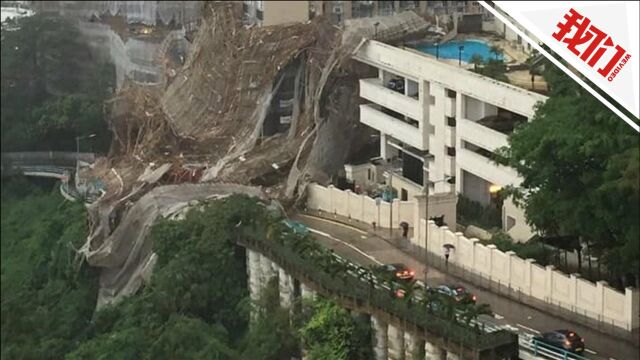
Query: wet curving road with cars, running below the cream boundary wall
point(365, 248)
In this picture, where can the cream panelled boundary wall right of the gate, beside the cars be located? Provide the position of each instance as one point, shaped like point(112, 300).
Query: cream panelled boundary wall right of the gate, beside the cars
point(597, 301)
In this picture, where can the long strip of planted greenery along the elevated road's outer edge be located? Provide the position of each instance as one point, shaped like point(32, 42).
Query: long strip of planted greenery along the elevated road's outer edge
point(355, 286)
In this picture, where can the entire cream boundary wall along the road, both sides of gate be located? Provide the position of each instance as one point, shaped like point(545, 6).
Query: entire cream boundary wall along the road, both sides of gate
point(597, 301)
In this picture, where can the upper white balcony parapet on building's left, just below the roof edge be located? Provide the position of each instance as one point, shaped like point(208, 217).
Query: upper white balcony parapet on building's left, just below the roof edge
point(372, 90)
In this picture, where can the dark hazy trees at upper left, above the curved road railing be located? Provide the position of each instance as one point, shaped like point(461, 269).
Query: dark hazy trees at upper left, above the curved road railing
point(52, 88)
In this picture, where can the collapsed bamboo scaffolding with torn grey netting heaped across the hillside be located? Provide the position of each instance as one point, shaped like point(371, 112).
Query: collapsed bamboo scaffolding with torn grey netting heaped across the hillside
point(256, 110)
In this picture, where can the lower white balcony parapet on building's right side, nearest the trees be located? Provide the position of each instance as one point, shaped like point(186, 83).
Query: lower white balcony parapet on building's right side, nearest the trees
point(485, 168)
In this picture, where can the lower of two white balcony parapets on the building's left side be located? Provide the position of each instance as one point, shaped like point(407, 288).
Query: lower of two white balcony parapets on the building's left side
point(397, 128)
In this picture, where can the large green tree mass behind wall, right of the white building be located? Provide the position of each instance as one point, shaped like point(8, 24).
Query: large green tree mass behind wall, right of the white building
point(580, 165)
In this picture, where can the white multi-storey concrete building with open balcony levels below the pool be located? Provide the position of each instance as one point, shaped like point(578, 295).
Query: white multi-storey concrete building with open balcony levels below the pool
point(440, 121)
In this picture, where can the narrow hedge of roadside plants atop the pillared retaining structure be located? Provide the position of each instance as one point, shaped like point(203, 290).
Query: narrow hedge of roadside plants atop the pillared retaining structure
point(357, 284)
